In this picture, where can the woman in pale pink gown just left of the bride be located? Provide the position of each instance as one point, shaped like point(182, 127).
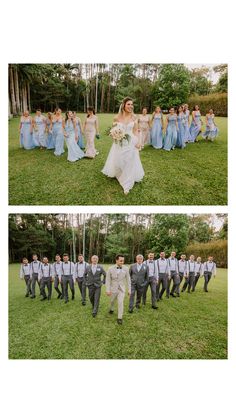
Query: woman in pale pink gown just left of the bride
point(90, 131)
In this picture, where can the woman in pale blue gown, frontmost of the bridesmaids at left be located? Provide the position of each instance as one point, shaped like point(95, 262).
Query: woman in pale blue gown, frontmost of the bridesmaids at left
point(71, 135)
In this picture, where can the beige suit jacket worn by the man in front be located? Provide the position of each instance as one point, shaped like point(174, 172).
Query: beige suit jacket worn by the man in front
point(117, 279)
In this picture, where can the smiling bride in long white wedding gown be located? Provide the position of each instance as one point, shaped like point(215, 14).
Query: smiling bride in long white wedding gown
point(123, 161)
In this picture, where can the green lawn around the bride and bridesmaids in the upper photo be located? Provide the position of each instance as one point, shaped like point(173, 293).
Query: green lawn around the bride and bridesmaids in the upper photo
point(196, 175)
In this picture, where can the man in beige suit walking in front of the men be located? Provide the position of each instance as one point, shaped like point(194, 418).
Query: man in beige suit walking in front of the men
point(116, 280)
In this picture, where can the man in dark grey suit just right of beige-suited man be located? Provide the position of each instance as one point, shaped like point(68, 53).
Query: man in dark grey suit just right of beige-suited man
point(139, 278)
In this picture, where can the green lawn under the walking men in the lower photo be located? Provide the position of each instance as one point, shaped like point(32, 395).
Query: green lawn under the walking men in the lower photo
point(191, 327)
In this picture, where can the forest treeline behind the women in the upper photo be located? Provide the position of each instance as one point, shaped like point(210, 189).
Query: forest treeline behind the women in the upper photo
point(103, 86)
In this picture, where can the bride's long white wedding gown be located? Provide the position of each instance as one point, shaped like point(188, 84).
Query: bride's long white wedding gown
point(123, 162)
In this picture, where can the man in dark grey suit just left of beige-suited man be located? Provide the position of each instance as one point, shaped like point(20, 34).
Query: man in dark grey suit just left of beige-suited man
point(93, 276)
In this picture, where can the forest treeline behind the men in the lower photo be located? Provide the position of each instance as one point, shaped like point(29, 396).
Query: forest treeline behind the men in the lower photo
point(109, 234)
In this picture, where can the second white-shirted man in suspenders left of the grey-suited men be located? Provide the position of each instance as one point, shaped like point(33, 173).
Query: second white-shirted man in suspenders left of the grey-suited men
point(67, 277)
